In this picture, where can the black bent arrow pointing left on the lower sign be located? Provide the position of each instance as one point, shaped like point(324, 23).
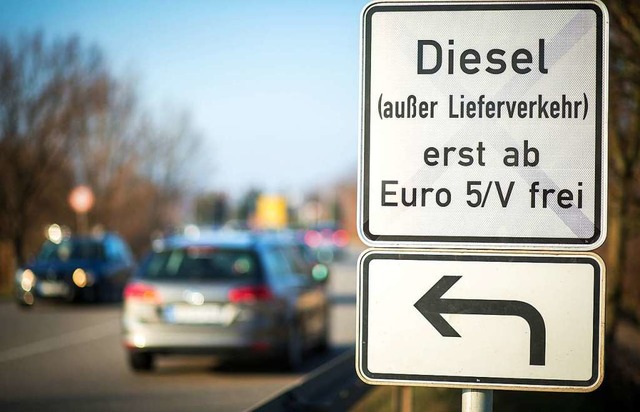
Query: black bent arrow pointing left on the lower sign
point(431, 305)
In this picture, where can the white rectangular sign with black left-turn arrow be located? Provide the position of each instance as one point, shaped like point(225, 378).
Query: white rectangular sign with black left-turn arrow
point(481, 320)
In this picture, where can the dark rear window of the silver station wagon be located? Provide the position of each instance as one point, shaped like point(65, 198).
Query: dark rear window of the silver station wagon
point(202, 263)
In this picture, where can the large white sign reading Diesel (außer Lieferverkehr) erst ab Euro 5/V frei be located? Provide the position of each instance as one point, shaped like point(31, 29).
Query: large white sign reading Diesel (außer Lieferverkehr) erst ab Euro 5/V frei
point(484, 125)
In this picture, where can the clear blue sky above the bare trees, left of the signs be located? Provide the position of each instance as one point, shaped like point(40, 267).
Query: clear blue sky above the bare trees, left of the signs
point(272, 86)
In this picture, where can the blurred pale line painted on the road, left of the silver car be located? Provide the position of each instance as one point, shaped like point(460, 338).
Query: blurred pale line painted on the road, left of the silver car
point(59, 342)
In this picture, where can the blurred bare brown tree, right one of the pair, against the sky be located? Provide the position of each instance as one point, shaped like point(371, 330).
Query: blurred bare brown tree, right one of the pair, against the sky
point(140, 170)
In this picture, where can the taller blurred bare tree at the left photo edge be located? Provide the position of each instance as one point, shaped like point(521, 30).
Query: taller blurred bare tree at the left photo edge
point(47, 92)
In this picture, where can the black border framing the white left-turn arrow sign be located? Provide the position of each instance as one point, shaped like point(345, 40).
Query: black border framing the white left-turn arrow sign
point(480, 381)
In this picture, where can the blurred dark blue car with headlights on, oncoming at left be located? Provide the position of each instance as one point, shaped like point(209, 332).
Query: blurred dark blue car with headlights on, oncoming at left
point(78, 268)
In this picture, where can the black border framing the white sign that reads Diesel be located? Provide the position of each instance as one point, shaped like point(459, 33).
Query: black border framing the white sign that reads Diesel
point(363, 220)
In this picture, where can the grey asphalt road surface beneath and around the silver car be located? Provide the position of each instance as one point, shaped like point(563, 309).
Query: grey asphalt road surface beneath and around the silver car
point(58, 357)
